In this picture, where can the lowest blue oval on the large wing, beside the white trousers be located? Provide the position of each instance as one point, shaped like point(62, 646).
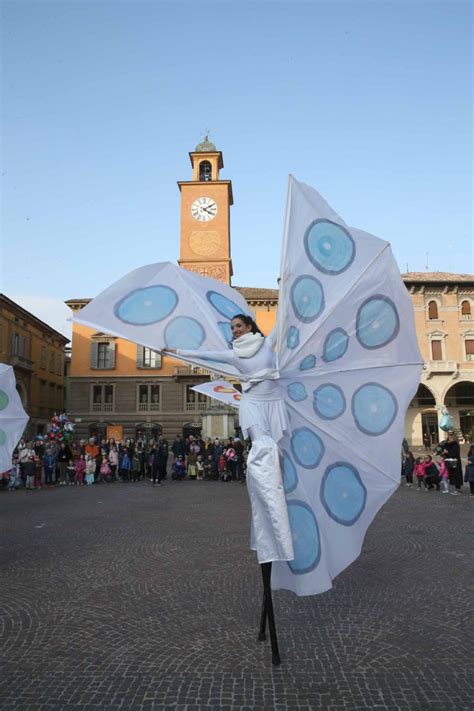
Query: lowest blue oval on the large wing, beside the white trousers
point(306, 540)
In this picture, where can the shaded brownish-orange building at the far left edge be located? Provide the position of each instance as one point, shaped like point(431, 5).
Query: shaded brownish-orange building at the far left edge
point(37, 353)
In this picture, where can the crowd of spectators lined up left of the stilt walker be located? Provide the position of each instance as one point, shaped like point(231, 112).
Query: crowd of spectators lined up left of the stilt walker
point(43, 463)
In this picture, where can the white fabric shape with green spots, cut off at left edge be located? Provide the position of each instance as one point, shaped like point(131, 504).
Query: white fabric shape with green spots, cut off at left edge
point(13, 418)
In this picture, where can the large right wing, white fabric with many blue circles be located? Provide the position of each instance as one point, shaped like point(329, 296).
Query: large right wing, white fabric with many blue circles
point(349, 365)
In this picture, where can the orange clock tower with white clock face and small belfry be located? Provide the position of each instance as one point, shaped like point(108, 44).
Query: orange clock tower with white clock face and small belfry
point(205, 216)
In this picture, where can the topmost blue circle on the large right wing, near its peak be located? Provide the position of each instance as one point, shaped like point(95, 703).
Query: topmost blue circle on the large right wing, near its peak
point(329, 246)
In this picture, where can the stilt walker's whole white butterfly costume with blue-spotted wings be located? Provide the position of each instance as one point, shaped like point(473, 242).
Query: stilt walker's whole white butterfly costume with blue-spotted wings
point(325, 410)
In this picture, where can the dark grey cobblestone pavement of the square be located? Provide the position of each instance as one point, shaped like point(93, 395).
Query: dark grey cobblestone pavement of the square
point(126, 596)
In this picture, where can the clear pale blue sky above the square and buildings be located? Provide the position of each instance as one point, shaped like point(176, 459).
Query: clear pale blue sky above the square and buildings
point(368, 102)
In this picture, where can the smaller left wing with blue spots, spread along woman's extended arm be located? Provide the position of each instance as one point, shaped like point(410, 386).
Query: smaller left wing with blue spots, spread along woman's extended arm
point(164, 306)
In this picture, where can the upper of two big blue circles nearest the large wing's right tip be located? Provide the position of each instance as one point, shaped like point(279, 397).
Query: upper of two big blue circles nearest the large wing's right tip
point(377, 322)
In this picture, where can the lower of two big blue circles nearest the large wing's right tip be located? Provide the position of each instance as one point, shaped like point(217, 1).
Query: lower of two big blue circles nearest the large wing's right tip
point(374, 408)
